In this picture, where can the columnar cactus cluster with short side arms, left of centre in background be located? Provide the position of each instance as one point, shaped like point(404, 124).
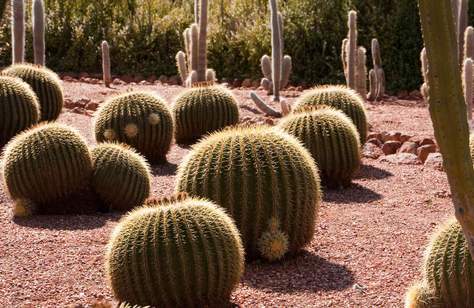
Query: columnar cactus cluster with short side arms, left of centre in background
point(192, 64)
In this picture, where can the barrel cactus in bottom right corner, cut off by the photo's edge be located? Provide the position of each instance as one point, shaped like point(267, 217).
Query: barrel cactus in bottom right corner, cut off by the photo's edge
point(448, 272)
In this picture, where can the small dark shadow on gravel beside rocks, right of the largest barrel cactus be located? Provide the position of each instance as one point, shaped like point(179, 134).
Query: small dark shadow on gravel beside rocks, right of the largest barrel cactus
point(354, 194)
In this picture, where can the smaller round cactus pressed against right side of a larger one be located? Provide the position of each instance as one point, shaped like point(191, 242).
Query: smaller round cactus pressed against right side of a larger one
point(121, 177)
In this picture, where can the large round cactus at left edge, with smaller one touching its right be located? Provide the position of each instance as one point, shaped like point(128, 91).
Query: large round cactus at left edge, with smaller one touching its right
point(46, 164)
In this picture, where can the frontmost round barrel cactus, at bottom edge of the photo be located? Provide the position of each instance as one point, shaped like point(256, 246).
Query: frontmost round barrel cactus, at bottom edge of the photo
point(179, 254)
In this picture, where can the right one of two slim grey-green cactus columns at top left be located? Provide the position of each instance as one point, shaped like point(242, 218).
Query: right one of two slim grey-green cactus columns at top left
point(38, 32)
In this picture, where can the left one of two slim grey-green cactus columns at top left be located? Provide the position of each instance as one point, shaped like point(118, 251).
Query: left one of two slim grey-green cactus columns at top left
point(18, 31)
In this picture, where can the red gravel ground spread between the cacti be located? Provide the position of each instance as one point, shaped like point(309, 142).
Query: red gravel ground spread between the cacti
point(366, 251)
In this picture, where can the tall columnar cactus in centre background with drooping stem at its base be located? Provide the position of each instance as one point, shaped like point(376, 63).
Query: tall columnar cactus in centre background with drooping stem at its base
point(276, 70)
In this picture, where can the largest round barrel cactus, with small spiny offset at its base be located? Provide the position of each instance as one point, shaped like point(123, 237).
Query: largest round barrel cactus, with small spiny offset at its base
point(266, 180)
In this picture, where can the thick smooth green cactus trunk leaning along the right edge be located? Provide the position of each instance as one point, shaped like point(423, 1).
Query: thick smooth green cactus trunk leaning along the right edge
point(448, 109)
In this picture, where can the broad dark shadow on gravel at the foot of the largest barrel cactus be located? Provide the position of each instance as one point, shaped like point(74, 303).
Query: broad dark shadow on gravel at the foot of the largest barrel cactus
point(302, 272)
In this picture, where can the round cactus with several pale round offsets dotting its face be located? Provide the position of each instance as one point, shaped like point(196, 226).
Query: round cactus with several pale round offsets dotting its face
point(139, 119)
